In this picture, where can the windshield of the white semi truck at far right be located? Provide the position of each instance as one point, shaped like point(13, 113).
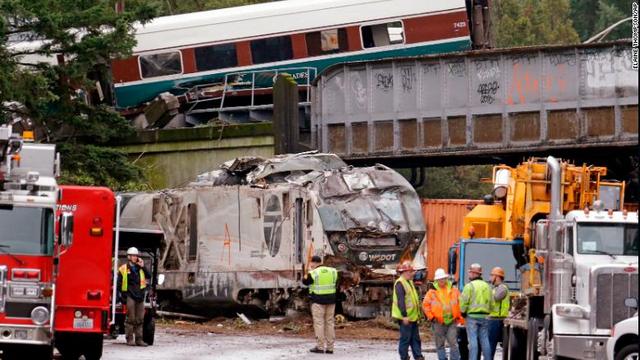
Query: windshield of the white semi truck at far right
point(607, 238)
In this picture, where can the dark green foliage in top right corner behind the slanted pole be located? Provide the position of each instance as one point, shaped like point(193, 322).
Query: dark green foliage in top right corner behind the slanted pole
point(593, 16)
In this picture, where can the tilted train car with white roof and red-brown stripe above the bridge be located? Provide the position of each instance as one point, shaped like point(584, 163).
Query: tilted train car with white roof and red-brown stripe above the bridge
point(245, 47)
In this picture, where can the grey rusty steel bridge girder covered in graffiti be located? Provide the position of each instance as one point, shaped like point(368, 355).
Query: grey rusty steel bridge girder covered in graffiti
point(508, 100)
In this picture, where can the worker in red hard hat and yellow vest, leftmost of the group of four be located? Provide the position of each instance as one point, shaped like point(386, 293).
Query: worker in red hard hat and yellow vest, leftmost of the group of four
point(406, 310)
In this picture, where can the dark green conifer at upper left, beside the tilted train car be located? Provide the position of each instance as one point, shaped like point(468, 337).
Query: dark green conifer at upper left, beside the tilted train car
point(52, 53)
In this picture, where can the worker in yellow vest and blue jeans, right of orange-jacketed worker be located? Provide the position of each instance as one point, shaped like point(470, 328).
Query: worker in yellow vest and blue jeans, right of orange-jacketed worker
point(475, 305)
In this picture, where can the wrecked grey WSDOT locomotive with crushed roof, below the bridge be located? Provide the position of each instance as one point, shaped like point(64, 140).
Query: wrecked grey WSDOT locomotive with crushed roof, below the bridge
point(242, 235)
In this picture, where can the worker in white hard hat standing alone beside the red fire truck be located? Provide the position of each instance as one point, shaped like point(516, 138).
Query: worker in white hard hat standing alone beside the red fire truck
point(132, 284)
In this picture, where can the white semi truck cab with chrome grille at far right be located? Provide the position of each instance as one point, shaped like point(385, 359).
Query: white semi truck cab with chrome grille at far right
point(603, 273)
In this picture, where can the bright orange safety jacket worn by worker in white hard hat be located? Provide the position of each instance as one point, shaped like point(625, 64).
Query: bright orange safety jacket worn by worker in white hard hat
point(439, 302)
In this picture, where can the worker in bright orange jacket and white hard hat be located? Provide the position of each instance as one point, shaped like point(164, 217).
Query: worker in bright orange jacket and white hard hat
point(441, 307)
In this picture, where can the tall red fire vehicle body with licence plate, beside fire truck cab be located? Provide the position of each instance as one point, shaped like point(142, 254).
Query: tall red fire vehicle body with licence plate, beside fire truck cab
point(84, 278)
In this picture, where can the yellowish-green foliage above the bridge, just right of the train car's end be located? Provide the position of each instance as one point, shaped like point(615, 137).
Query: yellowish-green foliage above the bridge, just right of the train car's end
point(533, 22)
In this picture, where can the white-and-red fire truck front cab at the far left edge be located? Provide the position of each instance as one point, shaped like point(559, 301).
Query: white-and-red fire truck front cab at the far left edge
point(28, 247)
